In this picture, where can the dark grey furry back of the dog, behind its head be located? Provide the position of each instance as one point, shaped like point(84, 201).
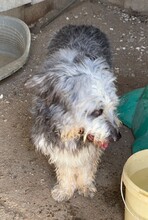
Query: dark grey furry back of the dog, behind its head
point(89, 41)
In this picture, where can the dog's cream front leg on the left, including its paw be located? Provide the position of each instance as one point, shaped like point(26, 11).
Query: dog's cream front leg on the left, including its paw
point(66, 183)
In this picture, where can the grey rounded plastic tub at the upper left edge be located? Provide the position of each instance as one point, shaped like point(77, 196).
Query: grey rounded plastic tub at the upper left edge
point(14, 45)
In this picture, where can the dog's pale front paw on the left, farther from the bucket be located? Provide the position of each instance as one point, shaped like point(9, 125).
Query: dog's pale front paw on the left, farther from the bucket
point(60, 194)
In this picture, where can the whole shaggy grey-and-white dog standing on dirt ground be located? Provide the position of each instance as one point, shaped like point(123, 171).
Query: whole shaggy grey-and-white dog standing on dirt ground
point(74, 107)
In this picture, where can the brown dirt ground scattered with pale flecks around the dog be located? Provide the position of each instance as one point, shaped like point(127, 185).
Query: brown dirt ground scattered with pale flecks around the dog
point(26, 178)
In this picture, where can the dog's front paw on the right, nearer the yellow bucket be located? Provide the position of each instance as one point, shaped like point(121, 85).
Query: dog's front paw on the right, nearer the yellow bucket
point(88, 190)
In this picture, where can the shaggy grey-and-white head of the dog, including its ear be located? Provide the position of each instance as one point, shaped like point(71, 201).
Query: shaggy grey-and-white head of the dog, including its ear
point(81, 97)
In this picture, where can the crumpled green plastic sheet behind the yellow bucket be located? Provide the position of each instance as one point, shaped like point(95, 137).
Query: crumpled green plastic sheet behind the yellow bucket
point(133, 112)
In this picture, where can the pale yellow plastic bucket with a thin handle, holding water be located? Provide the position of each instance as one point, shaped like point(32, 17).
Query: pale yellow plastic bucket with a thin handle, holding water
point(135, 179)
